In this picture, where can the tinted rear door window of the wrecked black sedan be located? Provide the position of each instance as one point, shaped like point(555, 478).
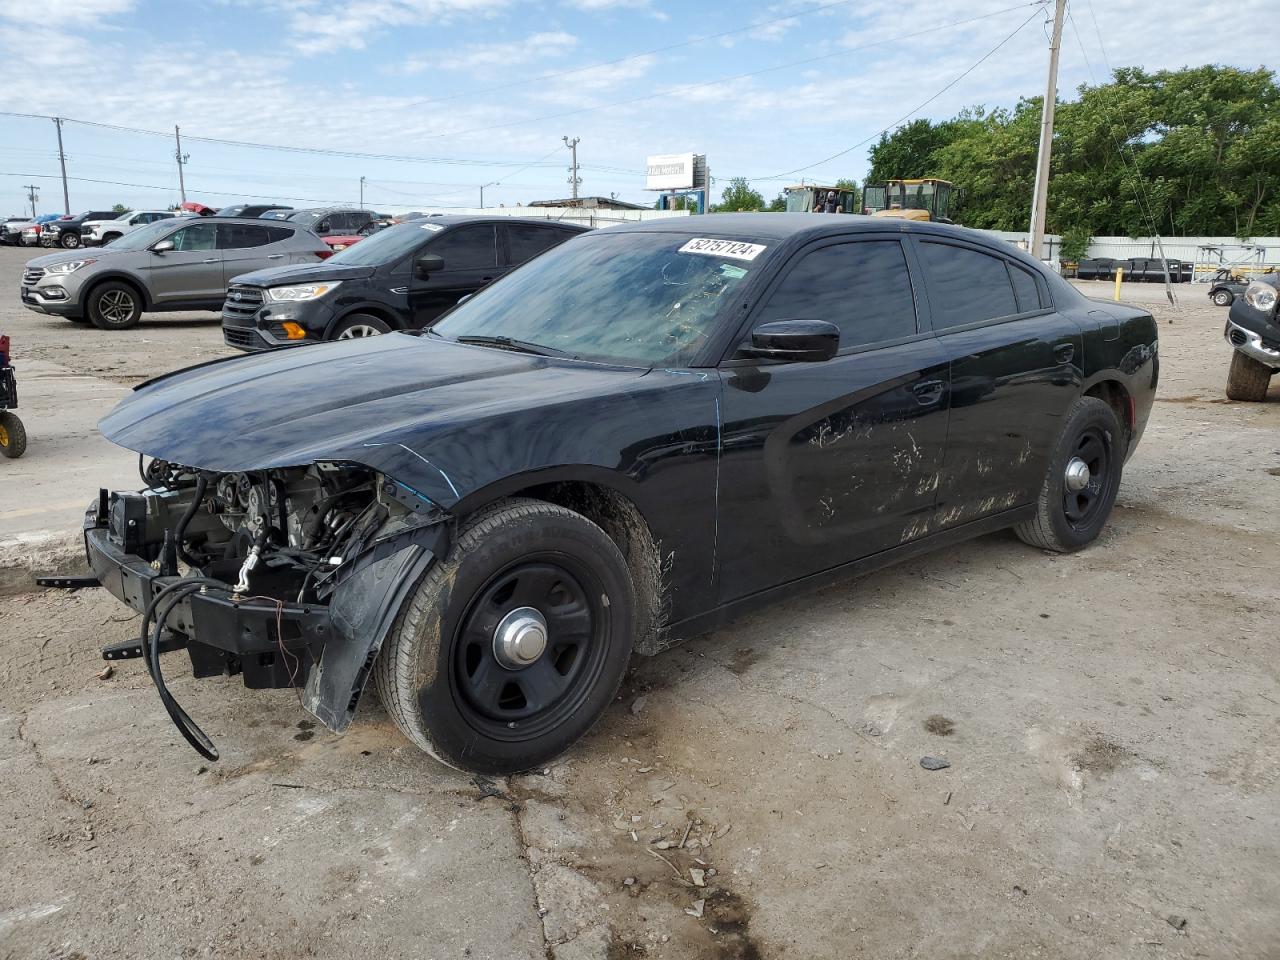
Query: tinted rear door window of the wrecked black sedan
point(967, 287)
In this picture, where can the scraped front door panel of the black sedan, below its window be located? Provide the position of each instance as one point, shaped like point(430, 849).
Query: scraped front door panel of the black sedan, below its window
point(828, 463)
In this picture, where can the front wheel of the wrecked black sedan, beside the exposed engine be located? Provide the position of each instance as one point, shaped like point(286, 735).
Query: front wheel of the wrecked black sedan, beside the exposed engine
point(467, 685)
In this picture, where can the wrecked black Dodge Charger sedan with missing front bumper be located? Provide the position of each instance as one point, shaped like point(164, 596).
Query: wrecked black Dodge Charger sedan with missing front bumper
point(643, 432)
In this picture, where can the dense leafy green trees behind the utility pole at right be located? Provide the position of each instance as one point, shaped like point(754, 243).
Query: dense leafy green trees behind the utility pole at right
point(1191, 152)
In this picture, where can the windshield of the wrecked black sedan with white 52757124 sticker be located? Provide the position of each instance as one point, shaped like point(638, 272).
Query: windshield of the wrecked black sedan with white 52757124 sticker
point(633, 299)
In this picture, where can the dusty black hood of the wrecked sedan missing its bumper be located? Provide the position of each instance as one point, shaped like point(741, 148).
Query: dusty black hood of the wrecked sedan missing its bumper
point(367, 401)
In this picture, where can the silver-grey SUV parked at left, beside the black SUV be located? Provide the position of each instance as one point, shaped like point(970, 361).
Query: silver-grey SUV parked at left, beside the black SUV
point(176, 264)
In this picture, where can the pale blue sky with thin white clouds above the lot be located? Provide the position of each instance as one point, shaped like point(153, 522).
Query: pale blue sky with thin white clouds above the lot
point(444, 98)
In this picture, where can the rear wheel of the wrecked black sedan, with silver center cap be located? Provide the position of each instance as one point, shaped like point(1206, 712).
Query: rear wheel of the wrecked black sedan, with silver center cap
point(1082, 481)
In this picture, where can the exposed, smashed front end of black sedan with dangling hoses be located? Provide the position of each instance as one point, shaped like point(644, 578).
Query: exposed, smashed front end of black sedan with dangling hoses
point(290, 578)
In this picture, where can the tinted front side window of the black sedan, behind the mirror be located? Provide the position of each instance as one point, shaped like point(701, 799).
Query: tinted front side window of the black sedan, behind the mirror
point(863, 287)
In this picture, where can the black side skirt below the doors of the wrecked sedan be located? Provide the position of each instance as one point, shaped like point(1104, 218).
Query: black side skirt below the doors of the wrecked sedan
point(714, 619)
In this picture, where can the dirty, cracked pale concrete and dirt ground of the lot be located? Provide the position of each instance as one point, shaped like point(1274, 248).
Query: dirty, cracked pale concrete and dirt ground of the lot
point(1112, 723)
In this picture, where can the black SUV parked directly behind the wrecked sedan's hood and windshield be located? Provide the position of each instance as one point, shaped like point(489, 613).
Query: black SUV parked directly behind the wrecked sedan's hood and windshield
point(401, 278)
